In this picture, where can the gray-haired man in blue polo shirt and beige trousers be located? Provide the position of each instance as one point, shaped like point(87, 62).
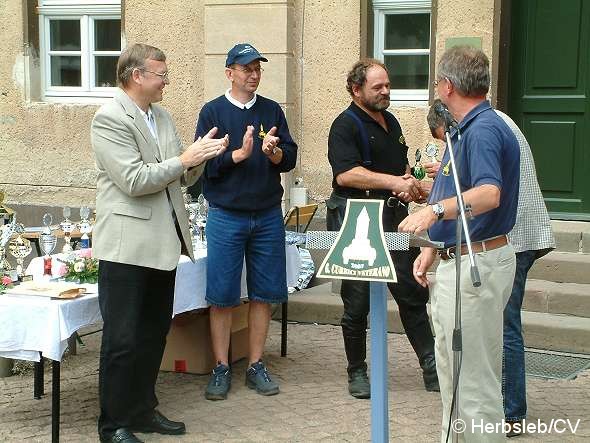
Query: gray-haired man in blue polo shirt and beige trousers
point(487, 159)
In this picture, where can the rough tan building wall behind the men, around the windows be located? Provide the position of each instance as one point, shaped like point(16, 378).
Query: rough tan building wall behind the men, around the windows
point(46, 157)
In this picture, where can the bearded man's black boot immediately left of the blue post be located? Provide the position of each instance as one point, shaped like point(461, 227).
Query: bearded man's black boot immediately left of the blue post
point(358, 380)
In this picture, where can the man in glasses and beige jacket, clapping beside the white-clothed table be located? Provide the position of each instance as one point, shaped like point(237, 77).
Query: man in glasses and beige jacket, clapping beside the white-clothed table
point(141, 229)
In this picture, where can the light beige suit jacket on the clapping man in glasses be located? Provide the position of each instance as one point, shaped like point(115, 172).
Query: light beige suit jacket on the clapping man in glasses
point(134, 221)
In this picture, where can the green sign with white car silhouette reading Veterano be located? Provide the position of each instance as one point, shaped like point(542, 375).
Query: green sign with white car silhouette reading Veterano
point(360, 251)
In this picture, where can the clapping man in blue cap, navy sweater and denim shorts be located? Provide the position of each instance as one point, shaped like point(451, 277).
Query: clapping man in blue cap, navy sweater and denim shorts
point(243, 187)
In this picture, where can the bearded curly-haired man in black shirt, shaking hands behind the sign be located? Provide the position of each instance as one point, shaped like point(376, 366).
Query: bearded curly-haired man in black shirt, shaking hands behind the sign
point(368, 155)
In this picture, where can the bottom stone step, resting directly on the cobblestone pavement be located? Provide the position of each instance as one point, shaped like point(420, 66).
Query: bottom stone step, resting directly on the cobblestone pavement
point(542, 330)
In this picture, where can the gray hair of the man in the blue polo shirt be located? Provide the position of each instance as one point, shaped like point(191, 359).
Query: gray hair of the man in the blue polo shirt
point(467, 68)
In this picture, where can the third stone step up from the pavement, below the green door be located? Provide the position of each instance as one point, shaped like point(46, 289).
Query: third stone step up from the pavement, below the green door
point(562, 267)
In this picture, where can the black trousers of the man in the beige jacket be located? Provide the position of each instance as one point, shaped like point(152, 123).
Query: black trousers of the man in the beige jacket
point(136, 307)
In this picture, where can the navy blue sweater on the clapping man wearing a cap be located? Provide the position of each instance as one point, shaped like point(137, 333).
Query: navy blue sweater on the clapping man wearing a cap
point(254, 183)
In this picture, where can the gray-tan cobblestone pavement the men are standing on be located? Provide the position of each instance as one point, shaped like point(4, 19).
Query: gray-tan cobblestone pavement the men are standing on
point(313, 404)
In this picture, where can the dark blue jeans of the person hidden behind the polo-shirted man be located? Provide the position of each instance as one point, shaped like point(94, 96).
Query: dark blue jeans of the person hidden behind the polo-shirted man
point(513, 370)
